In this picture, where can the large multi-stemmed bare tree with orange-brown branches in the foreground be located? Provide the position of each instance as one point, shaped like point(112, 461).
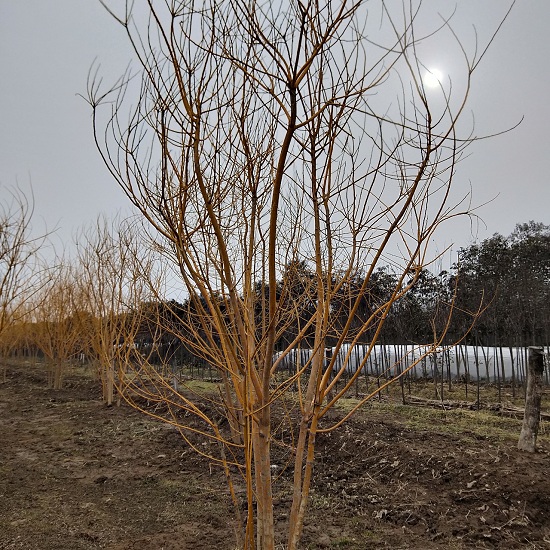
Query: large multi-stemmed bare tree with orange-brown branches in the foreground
point(275, 134)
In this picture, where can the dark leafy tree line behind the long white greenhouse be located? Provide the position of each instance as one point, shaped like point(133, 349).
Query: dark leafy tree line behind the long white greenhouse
point(508, 278)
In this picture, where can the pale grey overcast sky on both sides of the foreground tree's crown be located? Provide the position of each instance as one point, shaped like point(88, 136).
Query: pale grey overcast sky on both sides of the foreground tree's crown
point(47, 47)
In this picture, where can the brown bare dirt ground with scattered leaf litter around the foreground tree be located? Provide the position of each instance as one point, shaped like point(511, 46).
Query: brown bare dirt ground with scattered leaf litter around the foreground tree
point(75, 474)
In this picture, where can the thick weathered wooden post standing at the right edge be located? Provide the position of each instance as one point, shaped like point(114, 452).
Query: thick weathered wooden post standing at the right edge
point(529, 430)
